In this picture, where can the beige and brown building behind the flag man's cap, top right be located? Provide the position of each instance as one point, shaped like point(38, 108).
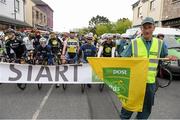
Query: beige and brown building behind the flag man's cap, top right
point(166, 13)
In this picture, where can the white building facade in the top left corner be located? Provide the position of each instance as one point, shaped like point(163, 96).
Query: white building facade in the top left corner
point(12, 13)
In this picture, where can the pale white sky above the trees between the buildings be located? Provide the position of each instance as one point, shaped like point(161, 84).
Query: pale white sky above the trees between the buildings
point(70, 14)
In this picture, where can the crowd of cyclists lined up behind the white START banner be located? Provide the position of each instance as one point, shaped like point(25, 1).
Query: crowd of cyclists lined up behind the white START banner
point(56, 48)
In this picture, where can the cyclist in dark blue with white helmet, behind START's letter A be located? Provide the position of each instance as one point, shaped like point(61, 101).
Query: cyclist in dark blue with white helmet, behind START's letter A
point(43, 52)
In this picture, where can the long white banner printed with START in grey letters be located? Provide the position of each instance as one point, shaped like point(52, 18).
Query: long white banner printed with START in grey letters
point(34, 74)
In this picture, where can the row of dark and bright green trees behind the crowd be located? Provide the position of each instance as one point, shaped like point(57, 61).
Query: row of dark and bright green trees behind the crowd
point(100, 25)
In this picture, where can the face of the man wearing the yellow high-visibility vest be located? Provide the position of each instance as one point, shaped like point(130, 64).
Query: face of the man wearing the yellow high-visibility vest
point(147, 30)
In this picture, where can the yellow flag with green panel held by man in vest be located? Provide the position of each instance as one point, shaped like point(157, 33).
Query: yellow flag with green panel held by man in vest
point(127, 77)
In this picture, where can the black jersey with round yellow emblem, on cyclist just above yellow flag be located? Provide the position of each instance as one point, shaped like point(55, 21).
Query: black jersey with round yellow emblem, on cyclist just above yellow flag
point(107, 48)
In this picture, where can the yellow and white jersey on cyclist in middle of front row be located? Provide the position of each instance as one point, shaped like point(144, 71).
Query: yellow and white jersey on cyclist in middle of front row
point(72, 45)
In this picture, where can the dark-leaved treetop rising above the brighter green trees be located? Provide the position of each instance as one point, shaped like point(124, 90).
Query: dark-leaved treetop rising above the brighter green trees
point(98, 20)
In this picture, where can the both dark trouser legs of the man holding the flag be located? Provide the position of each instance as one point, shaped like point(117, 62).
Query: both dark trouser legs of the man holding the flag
point(147, 107)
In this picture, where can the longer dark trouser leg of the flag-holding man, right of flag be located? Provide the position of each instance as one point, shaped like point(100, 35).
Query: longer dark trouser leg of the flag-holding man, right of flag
point(148, 102)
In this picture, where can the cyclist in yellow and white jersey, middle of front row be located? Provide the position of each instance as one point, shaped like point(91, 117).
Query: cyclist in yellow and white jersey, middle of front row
point(71, 48)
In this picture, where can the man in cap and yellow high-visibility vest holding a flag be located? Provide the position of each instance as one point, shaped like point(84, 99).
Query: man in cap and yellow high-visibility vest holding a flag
point(150, 47)
